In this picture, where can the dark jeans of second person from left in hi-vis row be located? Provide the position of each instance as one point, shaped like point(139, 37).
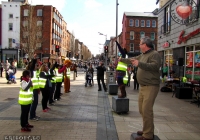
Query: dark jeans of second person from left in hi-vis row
point(34, 104)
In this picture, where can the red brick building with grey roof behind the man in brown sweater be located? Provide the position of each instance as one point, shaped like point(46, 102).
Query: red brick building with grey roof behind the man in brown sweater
point(136, 25)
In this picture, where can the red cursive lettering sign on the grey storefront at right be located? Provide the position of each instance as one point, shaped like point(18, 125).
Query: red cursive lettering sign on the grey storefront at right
point(184, 39)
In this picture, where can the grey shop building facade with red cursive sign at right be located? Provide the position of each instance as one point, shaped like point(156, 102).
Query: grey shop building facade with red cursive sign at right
point(178, 37)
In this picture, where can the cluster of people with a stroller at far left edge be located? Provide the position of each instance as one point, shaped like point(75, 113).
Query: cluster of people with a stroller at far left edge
point(10, 71)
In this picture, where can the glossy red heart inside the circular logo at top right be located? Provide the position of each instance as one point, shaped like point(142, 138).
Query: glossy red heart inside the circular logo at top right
point(184, 11)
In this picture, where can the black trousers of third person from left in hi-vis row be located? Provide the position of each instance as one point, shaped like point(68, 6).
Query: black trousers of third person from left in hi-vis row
point(45, 97)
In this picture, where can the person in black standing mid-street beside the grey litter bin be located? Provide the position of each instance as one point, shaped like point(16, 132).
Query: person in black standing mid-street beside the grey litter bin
point(100, 76)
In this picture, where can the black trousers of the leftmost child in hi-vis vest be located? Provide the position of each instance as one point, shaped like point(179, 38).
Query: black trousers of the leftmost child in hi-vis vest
point(24, 115)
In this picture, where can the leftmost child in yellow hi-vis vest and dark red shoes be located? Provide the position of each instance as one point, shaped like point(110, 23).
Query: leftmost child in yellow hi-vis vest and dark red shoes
point(25, 100)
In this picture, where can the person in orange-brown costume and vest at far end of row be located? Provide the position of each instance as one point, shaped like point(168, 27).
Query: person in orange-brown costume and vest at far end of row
point(68, 64)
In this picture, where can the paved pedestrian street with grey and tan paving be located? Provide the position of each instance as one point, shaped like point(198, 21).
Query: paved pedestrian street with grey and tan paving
point(86, 114)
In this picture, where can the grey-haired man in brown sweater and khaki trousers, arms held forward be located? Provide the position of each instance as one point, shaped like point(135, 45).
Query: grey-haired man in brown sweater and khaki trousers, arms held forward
point(148, 64)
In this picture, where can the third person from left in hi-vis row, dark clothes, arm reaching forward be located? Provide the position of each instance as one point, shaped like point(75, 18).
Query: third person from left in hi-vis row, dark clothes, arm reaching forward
point(45, 86)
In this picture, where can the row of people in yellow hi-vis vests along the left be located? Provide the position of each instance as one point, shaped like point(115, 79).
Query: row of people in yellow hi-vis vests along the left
point(38, 77)
